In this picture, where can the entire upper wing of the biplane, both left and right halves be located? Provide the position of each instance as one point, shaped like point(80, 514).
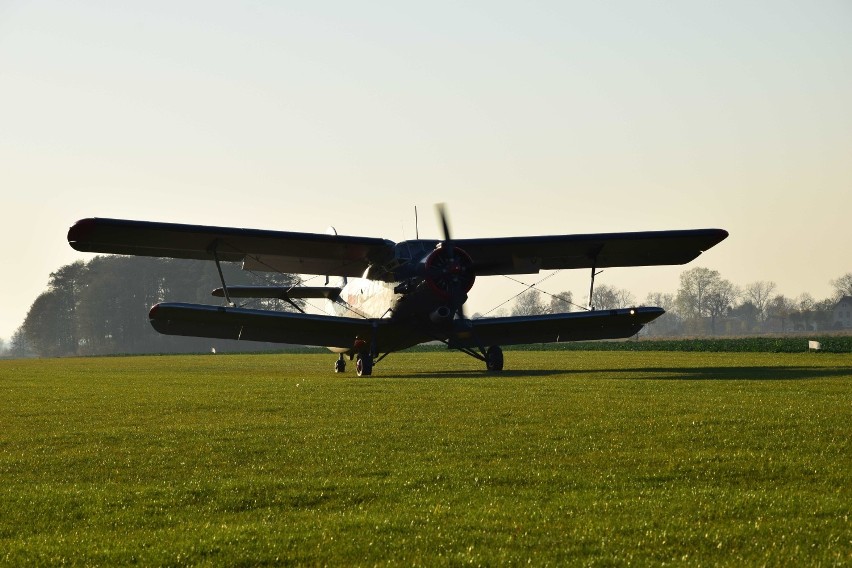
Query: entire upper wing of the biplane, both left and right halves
point(340, 255)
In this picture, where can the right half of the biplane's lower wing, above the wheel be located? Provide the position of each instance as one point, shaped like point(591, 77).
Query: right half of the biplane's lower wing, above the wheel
point(552, 328)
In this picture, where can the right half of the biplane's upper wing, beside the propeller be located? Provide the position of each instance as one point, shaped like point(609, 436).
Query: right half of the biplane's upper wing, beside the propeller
point(524, 255)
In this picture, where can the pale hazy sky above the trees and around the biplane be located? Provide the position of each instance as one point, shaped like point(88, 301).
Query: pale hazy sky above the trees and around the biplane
point(524, 117)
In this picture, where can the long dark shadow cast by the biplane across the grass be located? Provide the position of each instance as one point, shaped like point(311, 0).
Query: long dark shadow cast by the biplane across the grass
point(756, 373)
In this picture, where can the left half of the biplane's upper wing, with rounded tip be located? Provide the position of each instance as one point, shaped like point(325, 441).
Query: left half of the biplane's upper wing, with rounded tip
point(304, 253)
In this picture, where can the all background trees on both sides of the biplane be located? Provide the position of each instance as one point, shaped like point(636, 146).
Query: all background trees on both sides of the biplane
point(100, 307)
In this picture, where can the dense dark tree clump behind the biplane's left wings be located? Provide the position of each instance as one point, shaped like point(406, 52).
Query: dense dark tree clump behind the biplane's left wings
point(101, 306)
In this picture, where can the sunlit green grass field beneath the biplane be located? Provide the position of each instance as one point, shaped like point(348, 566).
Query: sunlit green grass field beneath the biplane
point(581, 458)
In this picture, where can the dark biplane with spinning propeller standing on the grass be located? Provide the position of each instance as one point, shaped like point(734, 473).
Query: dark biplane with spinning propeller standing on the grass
point(392, 295)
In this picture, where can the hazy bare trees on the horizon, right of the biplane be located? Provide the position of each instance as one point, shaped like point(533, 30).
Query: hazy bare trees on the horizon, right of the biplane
point(707, 304)
